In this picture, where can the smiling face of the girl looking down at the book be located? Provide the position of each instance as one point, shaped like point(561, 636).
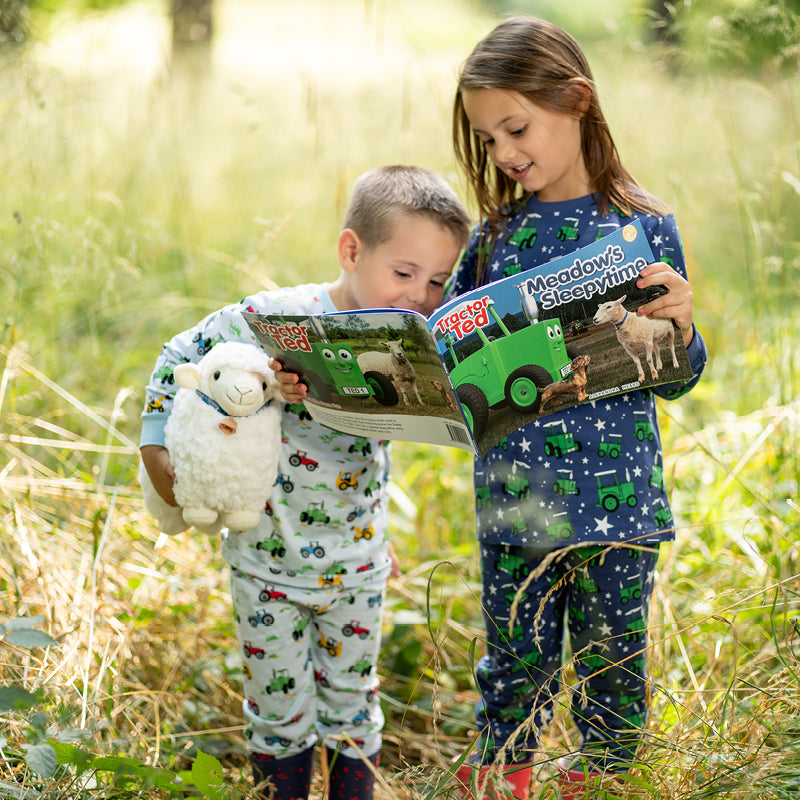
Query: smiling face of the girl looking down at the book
point(539, 149)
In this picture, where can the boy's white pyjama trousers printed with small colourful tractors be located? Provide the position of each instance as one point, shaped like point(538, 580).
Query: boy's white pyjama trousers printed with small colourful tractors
point(321, 682)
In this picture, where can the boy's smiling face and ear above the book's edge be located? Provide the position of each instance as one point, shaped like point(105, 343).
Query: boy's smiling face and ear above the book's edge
point(408, 271)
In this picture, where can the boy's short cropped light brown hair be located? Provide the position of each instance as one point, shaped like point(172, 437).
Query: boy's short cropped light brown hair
point(381, 196)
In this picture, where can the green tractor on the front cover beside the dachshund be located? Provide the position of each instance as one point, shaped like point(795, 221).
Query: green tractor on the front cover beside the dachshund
point(513, 368)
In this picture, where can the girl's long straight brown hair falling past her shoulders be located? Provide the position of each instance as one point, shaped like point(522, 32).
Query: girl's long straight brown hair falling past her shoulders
point(545, 64)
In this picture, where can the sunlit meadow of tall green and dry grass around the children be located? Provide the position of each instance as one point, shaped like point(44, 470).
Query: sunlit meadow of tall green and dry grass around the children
point(134, 199)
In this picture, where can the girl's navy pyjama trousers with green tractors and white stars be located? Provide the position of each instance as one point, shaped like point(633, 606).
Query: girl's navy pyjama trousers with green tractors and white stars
point(605, 593)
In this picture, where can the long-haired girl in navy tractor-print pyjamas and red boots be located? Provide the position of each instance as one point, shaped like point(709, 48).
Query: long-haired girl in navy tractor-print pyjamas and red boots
point(538, 154)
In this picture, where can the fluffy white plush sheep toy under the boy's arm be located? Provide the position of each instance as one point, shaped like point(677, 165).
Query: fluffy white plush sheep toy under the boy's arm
point(223, 437)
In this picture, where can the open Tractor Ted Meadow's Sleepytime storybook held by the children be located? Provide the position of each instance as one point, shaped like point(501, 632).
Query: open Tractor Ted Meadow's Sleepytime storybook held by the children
point(491, 360)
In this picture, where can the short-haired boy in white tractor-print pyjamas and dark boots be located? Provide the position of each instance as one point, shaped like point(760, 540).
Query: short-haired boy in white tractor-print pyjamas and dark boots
point(300, 584)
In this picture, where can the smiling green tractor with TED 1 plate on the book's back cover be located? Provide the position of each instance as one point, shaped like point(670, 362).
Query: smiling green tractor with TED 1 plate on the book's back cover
point(332, 369)
